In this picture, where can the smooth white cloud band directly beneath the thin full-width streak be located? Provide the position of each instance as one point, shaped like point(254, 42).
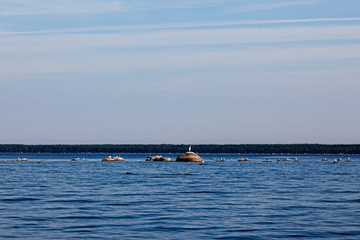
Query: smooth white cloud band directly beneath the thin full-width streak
point(59, 42)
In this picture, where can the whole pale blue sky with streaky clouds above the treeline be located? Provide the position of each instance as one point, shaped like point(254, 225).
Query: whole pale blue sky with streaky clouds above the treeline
point(189, 72)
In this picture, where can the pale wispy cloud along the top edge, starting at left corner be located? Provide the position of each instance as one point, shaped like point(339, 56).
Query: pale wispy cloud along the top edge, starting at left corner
point(45, 7)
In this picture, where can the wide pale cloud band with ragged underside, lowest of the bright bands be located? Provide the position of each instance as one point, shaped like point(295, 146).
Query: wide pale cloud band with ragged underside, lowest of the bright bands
point(174, 62)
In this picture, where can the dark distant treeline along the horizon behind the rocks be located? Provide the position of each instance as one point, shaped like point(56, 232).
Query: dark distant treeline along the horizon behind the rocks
point(173, 148)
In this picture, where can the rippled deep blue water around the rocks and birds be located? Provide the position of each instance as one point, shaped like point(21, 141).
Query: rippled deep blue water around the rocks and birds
point(61, 199)
